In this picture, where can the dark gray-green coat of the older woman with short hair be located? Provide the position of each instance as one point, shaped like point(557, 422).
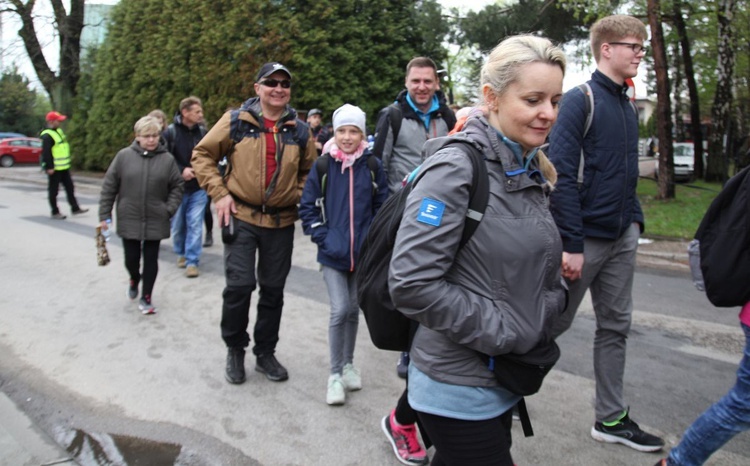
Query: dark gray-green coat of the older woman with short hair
point(148, 189)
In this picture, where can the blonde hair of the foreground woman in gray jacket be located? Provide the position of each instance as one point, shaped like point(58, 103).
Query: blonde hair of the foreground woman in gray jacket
point(503, 68)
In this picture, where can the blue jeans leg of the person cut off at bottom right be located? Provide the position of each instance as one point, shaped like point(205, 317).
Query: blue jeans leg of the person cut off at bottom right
point(723, 420)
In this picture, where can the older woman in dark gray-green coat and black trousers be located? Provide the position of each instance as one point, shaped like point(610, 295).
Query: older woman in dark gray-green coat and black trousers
point(144, 181)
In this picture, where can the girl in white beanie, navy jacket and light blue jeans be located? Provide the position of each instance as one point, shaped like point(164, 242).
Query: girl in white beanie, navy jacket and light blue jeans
point(337, 207)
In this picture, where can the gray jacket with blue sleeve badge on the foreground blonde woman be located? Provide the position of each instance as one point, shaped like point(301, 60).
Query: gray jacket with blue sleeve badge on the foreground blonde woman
point(502, 291)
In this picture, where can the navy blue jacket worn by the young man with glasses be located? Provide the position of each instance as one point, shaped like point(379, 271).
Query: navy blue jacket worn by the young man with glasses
point(606, 204)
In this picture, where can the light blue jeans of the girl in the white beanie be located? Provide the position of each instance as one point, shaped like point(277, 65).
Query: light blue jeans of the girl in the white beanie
point(344, 320)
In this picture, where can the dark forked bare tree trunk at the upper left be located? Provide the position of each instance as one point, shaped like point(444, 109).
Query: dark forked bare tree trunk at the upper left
point(61, 87)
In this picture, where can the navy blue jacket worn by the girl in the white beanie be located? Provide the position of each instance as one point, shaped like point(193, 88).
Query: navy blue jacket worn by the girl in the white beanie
point(340, 238)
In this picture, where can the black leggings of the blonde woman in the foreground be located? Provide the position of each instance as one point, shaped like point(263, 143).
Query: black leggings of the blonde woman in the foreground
point(469, 443)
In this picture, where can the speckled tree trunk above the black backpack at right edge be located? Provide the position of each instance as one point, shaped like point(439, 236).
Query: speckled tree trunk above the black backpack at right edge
point(720, 111)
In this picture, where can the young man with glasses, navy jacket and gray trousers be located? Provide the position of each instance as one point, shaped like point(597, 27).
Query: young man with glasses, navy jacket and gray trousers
point(600, 220)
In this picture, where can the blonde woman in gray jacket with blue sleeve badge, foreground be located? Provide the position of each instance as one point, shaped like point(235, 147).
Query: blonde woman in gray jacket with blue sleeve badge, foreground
point(501, 292)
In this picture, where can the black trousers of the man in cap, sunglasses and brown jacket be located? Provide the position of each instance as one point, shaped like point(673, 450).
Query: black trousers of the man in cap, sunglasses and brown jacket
point(273, 247)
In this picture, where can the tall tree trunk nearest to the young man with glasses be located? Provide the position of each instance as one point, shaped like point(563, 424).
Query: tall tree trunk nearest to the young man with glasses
point(663, 105)
